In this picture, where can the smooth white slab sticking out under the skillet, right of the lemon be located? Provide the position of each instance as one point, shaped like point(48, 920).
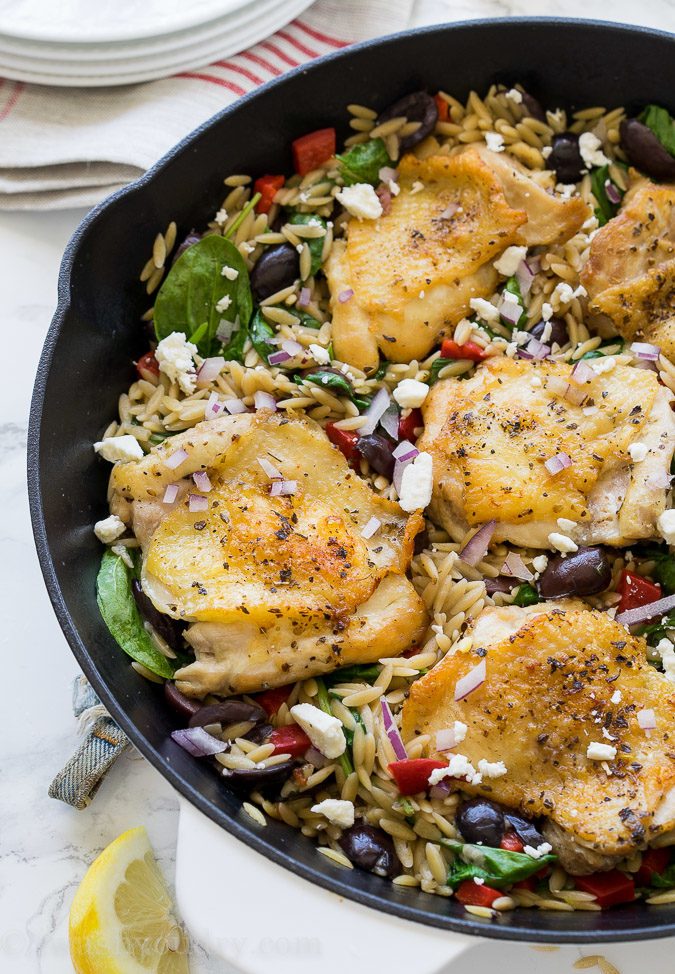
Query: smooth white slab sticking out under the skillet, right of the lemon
point(260, 917)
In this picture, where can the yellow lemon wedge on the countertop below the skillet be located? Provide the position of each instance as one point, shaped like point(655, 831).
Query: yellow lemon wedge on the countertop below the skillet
point(121, 920)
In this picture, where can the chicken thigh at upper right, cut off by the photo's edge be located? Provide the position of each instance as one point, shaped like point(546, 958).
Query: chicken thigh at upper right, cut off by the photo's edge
point(630, 273)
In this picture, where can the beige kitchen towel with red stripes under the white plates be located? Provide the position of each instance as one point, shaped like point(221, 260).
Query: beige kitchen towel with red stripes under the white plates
point(62, 147)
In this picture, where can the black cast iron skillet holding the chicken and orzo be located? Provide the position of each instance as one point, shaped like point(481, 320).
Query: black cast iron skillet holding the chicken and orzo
point(95, 334)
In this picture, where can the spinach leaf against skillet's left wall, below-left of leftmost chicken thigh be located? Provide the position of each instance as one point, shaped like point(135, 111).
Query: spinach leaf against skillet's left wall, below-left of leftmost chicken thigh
point(121, 616)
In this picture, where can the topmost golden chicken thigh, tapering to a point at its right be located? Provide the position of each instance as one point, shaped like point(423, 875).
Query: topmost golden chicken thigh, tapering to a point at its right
point(415, 269)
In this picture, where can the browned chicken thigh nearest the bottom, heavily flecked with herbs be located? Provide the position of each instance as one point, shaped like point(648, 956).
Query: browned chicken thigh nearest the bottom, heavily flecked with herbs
point(552, 675)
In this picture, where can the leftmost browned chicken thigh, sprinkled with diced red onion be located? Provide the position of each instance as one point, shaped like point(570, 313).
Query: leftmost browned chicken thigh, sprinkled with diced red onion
point(278, 587)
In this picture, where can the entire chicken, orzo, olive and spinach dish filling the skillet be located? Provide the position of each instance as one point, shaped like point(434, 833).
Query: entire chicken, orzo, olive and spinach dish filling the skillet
point(390, 512)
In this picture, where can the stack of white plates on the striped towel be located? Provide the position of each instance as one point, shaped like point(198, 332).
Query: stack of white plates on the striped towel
point(87, 43)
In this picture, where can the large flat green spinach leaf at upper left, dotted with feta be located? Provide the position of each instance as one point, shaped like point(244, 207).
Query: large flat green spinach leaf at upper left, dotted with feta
point(187, 300)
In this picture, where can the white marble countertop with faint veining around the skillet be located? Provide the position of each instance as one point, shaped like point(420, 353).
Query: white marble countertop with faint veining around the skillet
point(45, 846)
